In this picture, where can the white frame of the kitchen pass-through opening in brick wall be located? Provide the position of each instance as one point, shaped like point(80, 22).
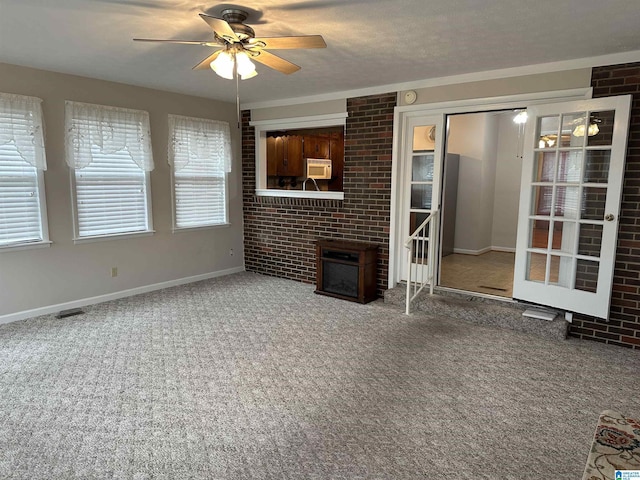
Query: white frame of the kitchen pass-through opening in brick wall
point(297, 123)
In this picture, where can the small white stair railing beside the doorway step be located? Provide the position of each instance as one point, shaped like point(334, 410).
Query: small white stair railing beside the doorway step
point(420, 248)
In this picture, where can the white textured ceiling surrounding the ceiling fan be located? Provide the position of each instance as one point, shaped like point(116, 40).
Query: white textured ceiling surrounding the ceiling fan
point(370, 42)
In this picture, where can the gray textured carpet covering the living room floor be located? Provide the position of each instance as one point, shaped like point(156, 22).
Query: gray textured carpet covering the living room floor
point(252, 377)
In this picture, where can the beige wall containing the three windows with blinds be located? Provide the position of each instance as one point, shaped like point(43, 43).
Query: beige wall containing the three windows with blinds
point(65, 272)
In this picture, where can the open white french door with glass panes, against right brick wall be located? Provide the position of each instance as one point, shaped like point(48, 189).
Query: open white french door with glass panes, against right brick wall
point(570, 194)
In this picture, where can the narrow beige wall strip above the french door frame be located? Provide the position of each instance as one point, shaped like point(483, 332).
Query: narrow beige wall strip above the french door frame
point(543, 82)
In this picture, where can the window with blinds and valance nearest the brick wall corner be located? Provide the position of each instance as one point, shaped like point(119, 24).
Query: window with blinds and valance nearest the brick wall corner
point(200, 157)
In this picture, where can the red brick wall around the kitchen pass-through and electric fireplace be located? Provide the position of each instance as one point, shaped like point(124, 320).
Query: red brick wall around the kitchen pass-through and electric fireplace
point(280, 232)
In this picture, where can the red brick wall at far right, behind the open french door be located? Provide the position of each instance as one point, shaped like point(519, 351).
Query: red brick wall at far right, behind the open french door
point(623, 327)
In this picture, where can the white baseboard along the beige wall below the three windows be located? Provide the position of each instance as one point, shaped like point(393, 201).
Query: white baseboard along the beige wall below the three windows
point(49, 309)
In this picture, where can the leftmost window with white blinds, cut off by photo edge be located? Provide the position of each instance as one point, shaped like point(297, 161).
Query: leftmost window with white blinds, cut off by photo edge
point(22, 163)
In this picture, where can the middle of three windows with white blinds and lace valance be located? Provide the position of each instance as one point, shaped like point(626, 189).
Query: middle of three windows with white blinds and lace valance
point(109, 152)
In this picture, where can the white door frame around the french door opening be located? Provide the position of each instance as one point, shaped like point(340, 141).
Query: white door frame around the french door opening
point(399, 165)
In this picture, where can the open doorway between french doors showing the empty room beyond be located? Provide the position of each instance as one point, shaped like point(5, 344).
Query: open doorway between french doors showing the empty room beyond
point(480, 198)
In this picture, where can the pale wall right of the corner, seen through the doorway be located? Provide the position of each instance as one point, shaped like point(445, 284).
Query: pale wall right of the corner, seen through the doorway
point(507, 184)
